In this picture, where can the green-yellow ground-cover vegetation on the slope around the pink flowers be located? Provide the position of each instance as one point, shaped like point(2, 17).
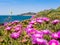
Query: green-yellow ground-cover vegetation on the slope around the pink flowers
point(24, 38)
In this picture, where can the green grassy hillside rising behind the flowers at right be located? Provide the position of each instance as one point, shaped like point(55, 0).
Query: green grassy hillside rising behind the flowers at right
point(51, 13)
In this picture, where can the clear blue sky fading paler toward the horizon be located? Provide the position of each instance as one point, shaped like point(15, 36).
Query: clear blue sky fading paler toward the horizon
point(23, 6)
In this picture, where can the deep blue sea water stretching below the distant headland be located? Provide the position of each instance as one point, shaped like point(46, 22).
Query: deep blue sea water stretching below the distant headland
point(7, 18)
